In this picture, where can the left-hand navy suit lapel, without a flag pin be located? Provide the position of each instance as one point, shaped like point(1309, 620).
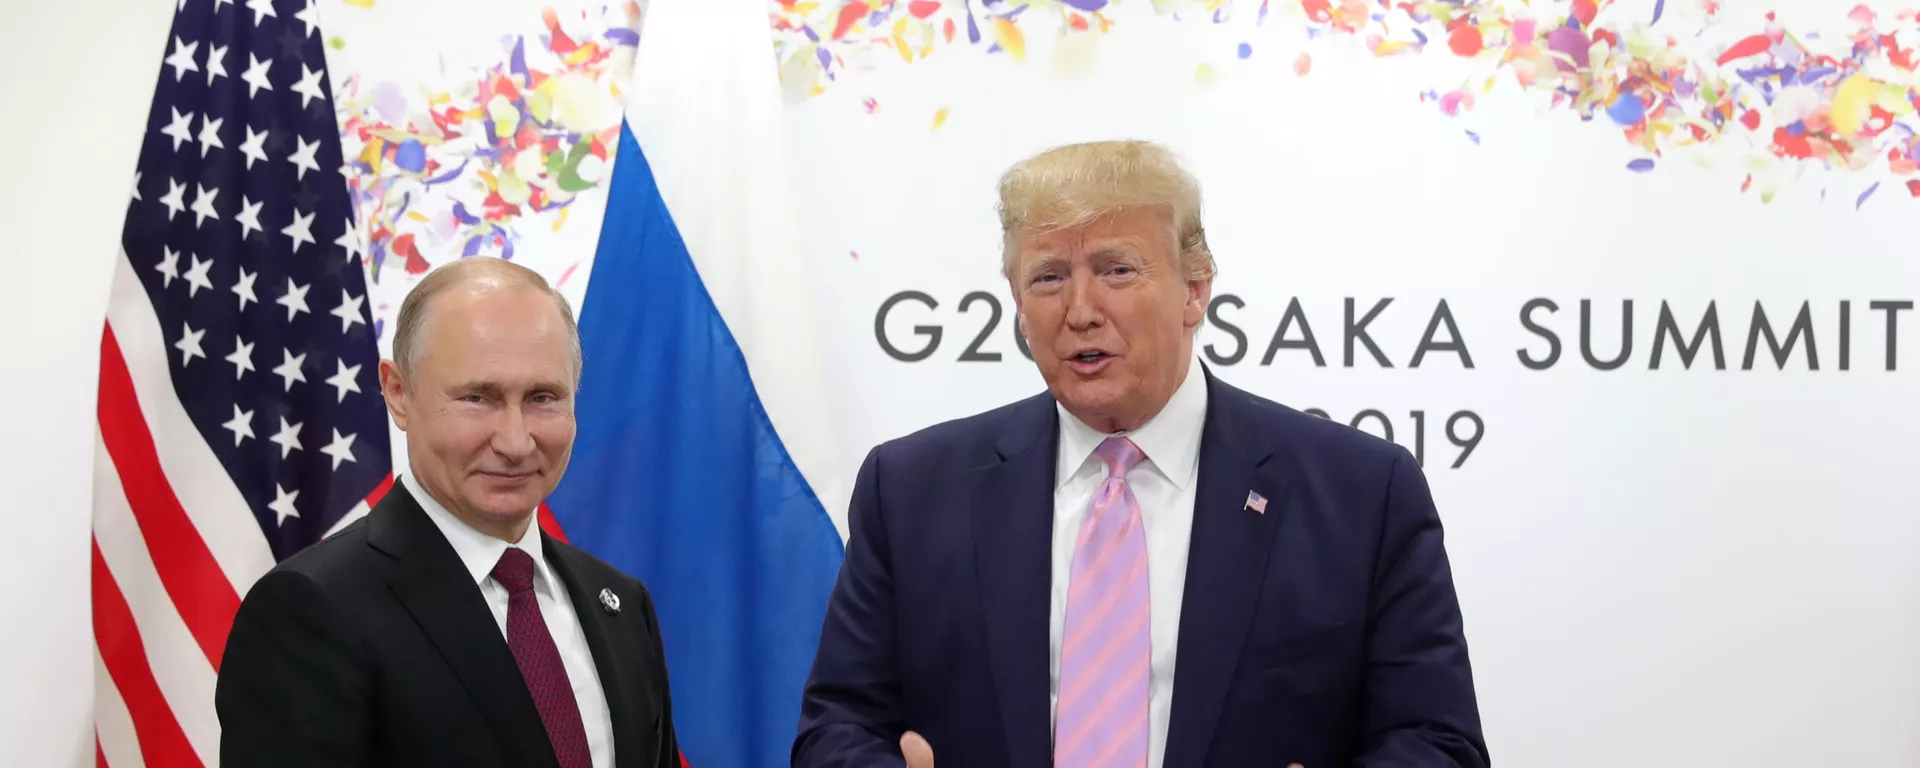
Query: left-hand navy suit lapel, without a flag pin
point(1013, 533)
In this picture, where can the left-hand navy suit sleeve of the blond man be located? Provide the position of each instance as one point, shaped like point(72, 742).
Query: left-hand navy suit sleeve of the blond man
point(852, 706)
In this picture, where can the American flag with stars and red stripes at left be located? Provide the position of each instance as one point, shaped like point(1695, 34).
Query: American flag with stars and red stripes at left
point(241, 410)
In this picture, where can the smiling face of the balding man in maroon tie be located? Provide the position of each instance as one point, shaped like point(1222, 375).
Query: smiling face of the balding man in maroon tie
point(491, 406)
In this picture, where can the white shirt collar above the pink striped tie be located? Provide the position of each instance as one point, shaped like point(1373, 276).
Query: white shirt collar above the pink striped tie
point(1170, 439)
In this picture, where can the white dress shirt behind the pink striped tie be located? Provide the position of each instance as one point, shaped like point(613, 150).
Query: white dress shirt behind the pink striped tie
point(1164, 487)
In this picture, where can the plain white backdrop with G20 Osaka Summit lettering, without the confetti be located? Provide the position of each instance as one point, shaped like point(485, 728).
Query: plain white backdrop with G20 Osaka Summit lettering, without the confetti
point(1668, 567)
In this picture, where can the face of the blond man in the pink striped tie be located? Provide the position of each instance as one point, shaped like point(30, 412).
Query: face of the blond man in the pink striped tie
point(1109, 316)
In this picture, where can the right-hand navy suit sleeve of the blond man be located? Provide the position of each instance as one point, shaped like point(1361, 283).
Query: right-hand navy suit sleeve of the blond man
point(1422, 708)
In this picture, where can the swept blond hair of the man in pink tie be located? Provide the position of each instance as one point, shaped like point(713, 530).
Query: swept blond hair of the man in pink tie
point(1078, 183)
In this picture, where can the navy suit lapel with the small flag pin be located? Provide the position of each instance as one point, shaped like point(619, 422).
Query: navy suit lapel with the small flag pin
point(1226, 567)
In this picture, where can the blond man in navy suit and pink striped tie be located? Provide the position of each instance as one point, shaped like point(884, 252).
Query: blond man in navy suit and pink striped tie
point(1145, 565)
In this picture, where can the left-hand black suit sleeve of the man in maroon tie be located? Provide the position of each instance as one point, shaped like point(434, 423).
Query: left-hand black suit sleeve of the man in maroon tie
point(293, 686)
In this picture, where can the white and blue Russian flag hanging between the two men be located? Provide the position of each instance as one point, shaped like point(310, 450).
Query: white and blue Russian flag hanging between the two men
point(704, 464)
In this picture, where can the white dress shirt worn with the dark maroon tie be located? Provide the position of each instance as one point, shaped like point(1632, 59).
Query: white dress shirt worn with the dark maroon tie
point(481, 554)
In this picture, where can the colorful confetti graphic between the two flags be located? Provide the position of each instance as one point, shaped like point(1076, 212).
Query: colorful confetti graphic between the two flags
point(460, 168)
